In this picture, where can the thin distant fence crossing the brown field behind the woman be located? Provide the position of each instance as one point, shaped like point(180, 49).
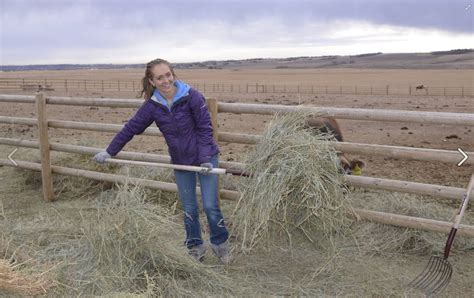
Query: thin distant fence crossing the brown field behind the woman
point(71, 85)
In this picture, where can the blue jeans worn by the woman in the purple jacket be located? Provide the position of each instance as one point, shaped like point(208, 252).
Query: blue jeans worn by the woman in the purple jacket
point(186, 182)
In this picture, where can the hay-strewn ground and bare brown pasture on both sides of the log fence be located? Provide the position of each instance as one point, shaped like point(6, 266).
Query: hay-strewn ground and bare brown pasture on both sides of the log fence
point(387, 257)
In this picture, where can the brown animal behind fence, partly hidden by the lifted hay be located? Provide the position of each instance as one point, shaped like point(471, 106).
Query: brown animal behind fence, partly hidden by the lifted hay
point(329, 125)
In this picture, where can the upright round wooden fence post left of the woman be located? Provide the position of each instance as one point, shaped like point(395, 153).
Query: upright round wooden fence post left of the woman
point(46, 174)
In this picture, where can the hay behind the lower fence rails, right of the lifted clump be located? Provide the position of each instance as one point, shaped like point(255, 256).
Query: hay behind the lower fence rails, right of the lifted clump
point(375, 238)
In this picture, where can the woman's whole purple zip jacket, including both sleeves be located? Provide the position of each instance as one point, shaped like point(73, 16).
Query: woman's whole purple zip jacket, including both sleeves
point(187, 129)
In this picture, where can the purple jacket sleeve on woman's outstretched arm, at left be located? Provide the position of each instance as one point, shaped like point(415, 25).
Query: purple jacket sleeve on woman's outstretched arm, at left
point(136, 125)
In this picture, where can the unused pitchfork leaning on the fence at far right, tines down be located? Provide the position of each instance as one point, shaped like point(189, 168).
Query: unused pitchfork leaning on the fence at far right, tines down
point(437, 274)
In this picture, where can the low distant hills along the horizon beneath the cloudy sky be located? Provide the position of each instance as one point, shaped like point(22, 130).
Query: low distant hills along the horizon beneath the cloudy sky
point(454, 59)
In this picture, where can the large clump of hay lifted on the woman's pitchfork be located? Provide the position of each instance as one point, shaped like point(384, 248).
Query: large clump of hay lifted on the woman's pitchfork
point(296, 186)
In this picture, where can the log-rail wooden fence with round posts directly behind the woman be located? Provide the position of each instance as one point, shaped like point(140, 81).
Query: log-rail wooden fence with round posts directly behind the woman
point(44, 122)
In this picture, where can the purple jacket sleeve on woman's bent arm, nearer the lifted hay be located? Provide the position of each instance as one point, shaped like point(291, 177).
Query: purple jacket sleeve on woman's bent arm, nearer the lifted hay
point(205, 140)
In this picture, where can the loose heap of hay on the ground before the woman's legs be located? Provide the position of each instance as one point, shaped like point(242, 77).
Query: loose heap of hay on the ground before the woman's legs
point(131, 247)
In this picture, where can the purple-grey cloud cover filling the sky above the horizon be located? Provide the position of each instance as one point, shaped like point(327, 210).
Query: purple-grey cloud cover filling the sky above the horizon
point(44, 29)
